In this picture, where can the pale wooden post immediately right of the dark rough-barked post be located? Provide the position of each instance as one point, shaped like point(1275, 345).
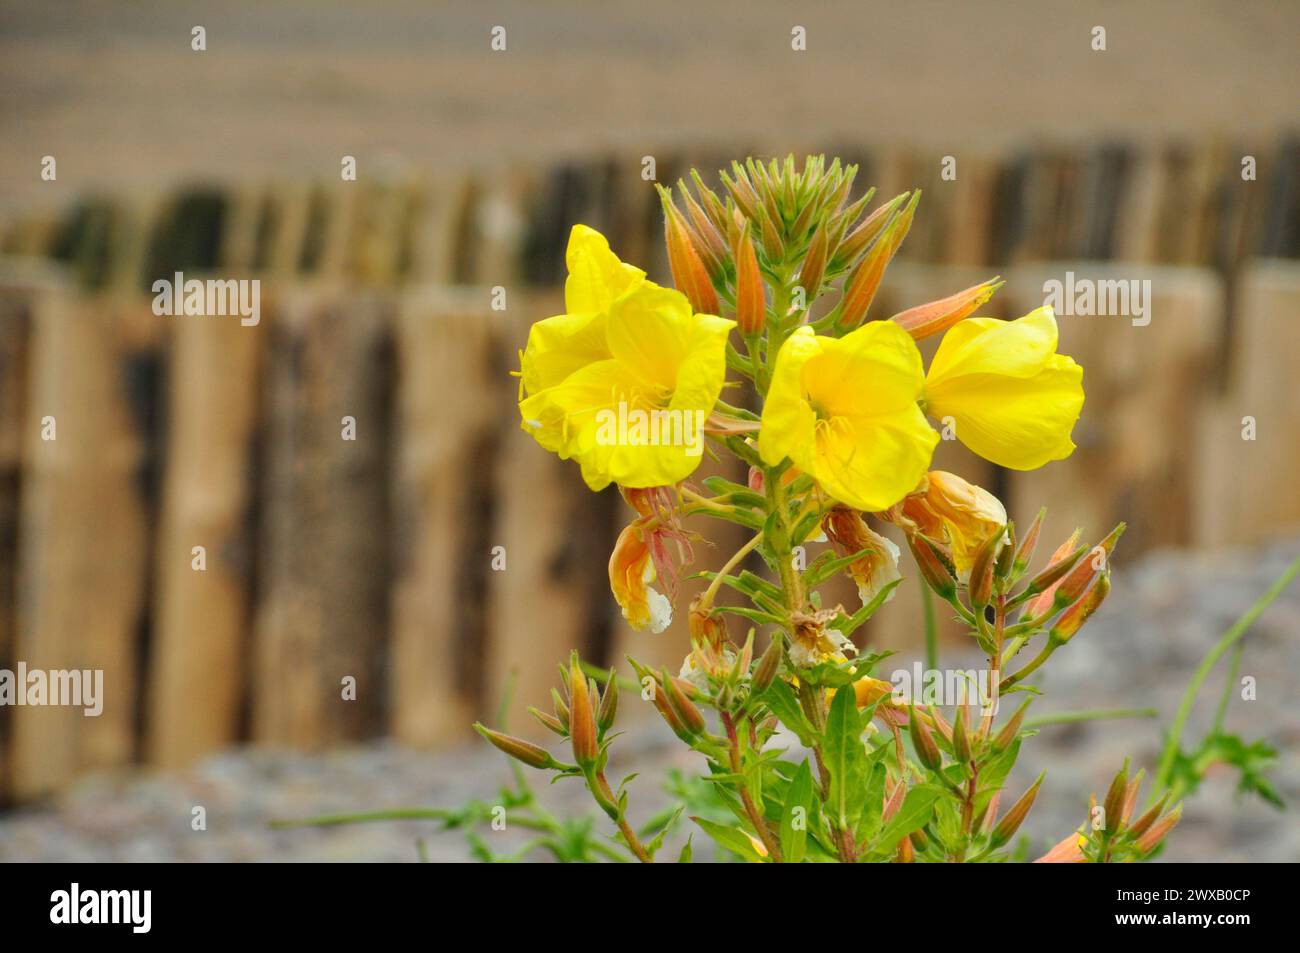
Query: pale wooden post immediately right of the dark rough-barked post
point(447, 432)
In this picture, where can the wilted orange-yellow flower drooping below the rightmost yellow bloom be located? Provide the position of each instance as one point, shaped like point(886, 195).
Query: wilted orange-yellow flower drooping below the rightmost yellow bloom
point(947, 509)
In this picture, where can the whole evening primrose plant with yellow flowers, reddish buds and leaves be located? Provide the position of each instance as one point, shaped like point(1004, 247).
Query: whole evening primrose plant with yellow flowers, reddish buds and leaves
point(768, 343)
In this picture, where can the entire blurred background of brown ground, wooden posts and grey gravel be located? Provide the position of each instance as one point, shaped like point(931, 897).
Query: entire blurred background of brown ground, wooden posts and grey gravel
point(372, 558)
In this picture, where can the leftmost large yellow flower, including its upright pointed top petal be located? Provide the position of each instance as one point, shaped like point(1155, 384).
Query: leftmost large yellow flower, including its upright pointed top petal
point(625, 383)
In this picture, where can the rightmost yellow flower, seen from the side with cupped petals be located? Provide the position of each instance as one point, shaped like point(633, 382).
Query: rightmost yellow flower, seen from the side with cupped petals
point(1012, 397)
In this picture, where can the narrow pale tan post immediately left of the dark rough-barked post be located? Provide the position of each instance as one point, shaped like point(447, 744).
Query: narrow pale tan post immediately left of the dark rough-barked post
point(197, 668)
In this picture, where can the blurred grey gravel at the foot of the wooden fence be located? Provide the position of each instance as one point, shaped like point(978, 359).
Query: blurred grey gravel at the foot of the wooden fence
point(1139, 652)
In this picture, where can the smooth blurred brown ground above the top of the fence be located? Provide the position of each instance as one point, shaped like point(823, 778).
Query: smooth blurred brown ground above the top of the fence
point(115, 93)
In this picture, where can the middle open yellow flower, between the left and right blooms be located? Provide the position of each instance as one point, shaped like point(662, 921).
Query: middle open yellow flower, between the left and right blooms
point(846, 413)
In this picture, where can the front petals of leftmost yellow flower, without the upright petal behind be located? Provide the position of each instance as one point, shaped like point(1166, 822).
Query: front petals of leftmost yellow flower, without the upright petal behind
point(636, 418)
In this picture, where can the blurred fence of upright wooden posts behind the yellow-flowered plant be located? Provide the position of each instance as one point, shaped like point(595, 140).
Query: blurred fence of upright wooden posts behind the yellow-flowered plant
point(372, 558)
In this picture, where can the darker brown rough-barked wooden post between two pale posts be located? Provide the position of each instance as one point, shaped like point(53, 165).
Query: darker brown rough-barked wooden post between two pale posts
point(323, 561)
